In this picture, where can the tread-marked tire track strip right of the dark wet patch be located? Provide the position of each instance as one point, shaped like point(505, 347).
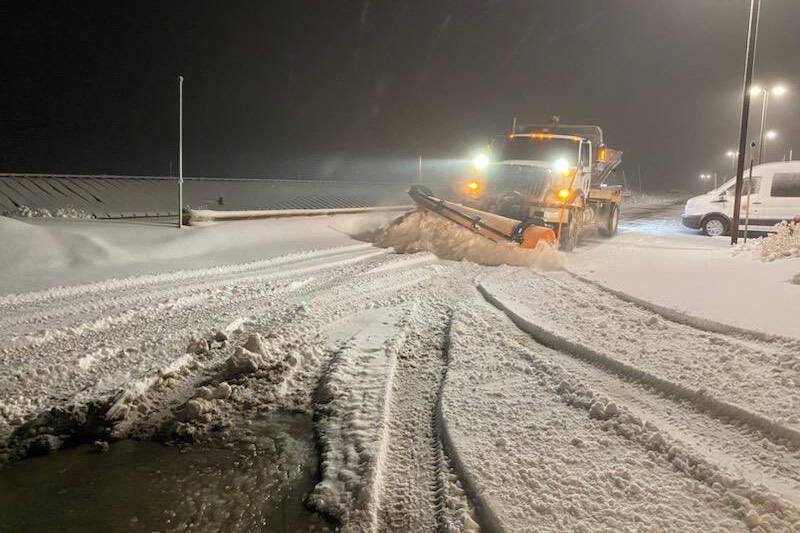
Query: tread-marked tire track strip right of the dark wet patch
point(384, 468)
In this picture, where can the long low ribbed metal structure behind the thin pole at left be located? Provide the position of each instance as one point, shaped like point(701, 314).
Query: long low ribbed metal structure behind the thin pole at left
point(113, 196)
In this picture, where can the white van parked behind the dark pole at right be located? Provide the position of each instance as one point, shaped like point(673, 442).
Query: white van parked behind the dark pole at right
point(775, 196)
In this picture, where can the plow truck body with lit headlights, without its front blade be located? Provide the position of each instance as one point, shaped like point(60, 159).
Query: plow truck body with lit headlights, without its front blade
point(549, 175)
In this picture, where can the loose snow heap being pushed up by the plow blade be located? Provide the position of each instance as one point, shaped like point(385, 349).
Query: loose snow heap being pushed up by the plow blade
point(425, 231)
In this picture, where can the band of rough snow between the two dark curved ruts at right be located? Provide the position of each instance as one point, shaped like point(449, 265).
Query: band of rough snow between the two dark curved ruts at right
point(667, 373)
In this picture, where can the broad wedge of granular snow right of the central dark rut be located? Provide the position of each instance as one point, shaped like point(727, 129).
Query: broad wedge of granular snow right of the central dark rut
point(547, 453)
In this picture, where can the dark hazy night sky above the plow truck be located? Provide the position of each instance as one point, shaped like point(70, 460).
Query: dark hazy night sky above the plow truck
point(353, 88)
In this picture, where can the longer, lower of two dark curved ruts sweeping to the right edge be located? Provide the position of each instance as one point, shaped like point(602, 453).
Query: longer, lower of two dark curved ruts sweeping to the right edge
point(700, 398)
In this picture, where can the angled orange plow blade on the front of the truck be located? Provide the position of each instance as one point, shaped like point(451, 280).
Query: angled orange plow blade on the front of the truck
point(494, 227)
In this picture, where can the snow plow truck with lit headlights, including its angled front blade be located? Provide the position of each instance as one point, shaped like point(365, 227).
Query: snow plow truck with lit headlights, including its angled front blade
point(538, 183)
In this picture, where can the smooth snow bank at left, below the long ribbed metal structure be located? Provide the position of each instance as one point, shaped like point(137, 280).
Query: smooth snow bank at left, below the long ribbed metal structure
point(43, 253)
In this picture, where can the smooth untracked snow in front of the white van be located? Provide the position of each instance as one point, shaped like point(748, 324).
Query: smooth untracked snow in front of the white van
point(657, 260)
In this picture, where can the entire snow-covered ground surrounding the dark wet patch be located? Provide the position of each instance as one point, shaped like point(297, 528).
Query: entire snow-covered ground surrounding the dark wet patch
point(448, 395)
